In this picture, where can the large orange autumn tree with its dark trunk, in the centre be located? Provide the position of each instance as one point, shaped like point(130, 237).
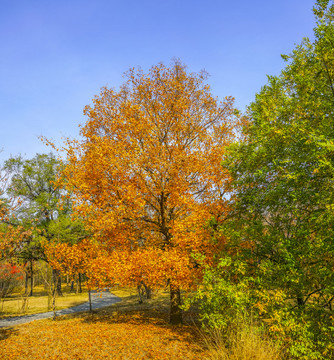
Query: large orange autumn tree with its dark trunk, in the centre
point(146, 175)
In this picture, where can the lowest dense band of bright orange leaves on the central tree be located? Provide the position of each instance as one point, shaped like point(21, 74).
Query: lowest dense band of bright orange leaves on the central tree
point(121, 267)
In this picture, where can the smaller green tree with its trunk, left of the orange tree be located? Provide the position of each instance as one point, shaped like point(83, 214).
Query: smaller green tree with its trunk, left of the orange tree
point(33, 182)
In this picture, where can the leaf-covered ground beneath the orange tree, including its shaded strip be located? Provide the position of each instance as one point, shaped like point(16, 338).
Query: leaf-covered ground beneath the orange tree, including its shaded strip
point(125, 330)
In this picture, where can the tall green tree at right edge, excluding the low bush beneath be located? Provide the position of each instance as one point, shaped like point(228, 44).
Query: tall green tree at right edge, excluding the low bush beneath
point(283, 176)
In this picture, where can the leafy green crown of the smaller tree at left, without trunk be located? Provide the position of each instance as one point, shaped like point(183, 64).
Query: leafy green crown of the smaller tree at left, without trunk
point(32, 183)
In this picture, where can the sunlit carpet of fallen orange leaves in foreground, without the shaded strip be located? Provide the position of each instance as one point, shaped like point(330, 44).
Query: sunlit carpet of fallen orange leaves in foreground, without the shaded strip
point(128, 338)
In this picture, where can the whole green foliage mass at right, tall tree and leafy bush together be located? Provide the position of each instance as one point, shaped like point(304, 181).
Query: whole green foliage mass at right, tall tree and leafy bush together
point(278, 265)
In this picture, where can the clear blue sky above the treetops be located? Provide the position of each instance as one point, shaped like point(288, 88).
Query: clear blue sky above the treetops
point(56, 55)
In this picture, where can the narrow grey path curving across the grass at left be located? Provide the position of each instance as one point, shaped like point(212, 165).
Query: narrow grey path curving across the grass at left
point(97, 302)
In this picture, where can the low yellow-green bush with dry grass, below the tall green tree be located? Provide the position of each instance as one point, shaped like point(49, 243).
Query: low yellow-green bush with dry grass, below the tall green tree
point(232, 303)
